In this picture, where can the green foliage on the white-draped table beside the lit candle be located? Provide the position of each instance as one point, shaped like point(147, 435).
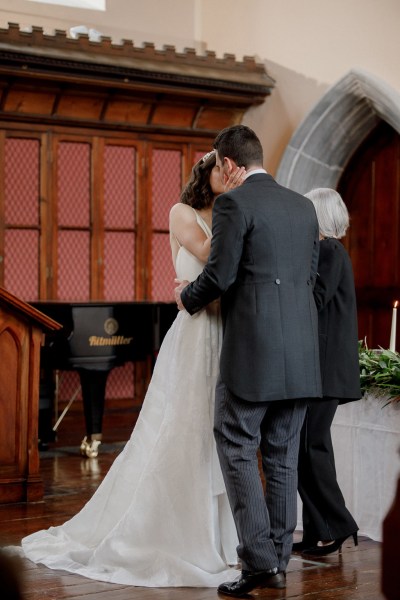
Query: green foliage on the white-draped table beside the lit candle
point(380, 371)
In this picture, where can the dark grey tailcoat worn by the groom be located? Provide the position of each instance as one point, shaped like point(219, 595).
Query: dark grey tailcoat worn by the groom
point(263, 262)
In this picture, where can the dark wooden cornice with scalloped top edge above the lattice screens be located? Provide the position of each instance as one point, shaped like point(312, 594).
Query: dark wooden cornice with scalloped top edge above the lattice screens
point(56, 79)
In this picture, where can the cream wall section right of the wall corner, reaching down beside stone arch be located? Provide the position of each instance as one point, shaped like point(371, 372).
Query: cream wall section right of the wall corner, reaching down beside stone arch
point(306, 45)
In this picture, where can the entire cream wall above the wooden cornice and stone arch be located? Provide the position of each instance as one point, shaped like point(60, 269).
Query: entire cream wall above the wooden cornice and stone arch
point(306, 45)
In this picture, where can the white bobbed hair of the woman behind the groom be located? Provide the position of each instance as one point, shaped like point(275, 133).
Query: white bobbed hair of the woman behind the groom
point(332, 213)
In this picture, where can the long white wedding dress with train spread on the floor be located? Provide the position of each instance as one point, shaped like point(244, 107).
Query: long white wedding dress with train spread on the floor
point(160, 517)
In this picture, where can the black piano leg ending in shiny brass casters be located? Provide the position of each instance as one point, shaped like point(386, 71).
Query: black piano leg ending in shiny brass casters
point(93, 384)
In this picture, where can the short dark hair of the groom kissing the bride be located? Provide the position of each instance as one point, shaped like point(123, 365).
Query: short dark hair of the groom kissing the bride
point(239, 143)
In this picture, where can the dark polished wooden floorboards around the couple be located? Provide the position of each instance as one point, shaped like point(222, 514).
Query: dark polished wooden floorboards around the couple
point(70, 480)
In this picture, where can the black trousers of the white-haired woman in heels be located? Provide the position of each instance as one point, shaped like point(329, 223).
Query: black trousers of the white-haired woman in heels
point(325, 516)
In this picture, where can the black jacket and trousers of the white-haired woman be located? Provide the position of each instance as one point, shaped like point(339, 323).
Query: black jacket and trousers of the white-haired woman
point(325, 516)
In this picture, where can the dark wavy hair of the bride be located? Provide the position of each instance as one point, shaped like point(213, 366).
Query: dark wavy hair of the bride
point(197, 192)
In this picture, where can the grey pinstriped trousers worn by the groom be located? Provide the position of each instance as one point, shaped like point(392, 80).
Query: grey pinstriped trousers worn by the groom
point(264, 523)
